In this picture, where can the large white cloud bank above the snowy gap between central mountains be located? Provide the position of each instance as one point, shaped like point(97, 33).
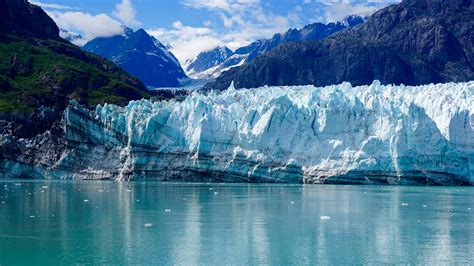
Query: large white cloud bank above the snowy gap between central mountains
point(243, 21)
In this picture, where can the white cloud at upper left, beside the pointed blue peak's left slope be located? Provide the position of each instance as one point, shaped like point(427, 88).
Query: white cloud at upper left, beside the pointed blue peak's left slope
point(90, 26)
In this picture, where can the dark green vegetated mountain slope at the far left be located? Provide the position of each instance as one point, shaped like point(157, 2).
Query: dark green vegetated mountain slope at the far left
point(38, 68)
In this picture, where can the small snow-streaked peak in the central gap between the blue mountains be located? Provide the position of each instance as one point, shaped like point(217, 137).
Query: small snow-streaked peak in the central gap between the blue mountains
point(202, 66)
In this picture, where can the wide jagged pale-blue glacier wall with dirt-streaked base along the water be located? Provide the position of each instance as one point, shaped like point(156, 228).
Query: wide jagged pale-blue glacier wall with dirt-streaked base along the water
point(377, 134)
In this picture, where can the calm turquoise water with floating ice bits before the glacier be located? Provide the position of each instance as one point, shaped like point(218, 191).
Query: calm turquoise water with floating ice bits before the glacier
point(153, 223)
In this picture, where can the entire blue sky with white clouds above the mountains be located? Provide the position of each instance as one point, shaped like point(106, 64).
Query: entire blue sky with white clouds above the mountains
point(192, 26)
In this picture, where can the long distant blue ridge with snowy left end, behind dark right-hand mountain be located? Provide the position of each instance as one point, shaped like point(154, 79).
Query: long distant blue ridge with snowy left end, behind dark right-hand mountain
point(246, 54)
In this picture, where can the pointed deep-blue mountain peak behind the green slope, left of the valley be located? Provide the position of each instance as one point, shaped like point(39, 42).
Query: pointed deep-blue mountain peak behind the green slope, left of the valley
point(140, 55)
